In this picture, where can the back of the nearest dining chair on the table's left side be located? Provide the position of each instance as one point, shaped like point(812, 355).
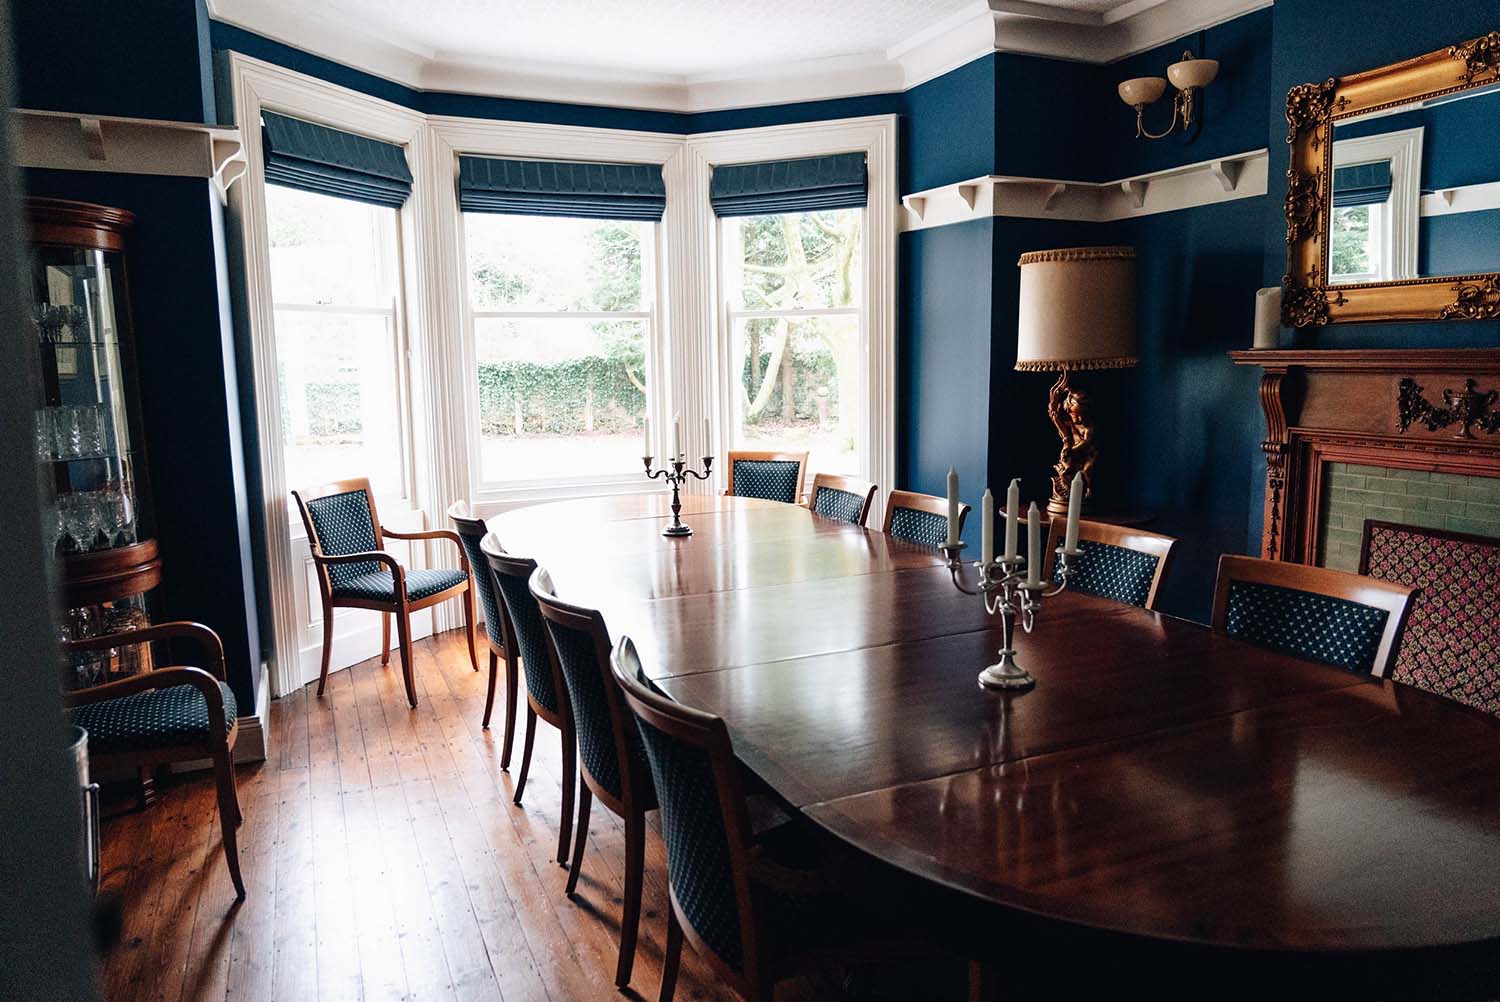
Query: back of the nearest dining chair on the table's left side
point(706, 823)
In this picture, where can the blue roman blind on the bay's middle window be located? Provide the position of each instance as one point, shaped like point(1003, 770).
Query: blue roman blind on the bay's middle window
point(562, 188)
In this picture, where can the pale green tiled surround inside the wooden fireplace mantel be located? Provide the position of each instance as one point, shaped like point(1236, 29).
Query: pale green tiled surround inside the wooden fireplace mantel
point(1412, 497)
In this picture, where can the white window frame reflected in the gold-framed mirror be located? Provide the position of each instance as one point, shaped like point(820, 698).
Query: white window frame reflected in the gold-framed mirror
point(1399, 215)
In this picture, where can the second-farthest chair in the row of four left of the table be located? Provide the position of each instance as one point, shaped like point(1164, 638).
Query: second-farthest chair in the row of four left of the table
point(547, 698)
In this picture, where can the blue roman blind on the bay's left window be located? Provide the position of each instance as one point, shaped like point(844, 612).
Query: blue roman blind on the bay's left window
point(331, 163)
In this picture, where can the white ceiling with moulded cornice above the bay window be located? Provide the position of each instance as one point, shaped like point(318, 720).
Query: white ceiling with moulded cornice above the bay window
point(700, 55)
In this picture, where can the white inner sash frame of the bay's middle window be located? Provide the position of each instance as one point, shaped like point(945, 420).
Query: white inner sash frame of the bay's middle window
point(583, 484)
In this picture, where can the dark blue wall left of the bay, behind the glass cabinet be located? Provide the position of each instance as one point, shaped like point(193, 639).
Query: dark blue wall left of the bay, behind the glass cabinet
point(152, 61)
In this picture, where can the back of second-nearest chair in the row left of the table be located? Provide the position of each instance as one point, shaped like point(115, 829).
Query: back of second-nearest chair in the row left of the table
point(580, 650)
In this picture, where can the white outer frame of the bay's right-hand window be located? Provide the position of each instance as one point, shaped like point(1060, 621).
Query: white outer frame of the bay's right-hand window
point(875, 137)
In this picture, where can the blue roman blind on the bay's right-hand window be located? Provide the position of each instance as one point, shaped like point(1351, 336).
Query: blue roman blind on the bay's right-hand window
point(811, 185)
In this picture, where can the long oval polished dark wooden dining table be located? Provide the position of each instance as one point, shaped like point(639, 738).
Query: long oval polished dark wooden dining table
point(1166, 799)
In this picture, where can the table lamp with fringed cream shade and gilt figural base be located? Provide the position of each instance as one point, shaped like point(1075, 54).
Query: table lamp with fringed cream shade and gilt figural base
point(1078, 311)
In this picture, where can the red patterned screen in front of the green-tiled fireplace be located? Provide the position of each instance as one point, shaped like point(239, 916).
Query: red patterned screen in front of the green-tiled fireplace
point(1451, 646)
